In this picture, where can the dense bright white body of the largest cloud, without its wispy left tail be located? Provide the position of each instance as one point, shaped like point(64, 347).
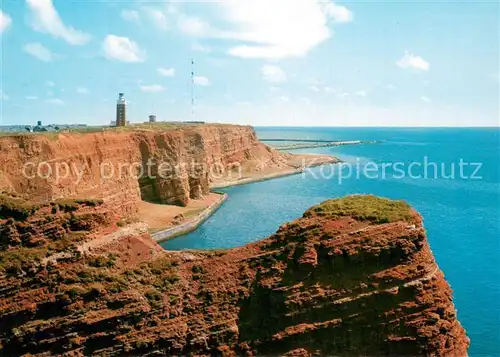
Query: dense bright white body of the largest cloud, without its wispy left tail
point(280, 28)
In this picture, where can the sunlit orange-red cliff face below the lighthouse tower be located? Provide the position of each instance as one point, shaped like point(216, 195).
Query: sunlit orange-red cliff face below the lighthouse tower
point(176, 165)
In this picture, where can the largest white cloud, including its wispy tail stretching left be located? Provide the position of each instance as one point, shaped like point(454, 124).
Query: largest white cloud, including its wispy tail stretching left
point(263, 29)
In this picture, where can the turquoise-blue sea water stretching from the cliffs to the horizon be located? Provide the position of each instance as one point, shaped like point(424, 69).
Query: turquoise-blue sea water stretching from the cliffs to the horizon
point(461, 211)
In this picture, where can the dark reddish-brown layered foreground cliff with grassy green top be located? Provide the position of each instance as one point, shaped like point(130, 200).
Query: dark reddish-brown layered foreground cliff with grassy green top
point(353, 276)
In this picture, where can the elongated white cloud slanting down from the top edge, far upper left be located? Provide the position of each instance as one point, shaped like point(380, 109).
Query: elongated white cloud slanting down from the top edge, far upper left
point(44, 18)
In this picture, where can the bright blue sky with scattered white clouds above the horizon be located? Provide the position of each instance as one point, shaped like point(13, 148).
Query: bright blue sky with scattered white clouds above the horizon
point(258, 62)
